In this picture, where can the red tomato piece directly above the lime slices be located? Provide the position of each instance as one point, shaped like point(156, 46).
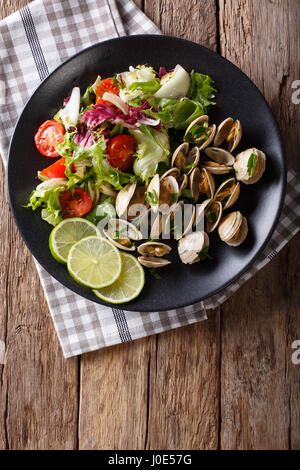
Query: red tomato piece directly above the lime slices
point(75, 205)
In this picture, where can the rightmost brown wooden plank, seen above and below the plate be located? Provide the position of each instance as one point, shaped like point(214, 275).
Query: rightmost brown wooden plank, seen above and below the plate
point(260, 386)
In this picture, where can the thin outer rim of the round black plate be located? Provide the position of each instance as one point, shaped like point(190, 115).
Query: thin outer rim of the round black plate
point(283, 181)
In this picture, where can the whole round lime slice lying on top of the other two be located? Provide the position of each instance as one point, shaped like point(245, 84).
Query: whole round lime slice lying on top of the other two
point(94, 262)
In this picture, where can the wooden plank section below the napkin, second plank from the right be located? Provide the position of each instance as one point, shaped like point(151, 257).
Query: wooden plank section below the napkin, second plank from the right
point(184, 388)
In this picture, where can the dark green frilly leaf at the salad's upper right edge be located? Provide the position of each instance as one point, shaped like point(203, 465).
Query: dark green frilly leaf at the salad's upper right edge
point(201, 90)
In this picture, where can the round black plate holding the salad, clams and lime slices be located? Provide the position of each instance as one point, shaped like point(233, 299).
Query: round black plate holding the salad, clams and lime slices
point(237, 97)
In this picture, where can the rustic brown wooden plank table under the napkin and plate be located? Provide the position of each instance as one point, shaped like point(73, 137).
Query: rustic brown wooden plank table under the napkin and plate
point(226, 383)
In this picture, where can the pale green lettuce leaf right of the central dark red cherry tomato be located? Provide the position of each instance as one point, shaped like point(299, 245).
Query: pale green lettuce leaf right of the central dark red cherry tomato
point(152, 149)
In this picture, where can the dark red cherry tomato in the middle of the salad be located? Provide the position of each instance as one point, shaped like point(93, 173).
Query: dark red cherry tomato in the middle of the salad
point(120, 151)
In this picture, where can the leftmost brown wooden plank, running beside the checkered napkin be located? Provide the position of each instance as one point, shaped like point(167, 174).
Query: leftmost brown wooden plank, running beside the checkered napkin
point(38, 394)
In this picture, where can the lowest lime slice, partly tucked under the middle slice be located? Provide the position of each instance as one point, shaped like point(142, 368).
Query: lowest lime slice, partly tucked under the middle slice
point(128, 285)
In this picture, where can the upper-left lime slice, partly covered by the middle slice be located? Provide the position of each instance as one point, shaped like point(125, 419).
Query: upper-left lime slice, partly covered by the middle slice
point(67, 233)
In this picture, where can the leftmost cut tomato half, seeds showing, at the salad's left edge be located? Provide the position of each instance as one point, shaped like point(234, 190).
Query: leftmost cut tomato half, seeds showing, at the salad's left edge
point(48, 135)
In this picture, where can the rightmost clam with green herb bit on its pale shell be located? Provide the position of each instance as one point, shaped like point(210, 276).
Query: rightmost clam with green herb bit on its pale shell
point(250, 165)
